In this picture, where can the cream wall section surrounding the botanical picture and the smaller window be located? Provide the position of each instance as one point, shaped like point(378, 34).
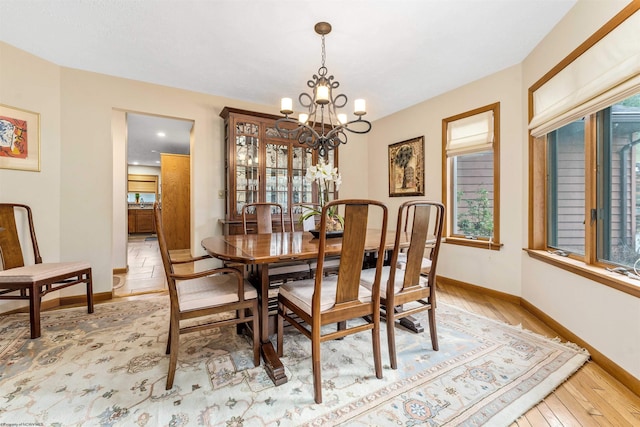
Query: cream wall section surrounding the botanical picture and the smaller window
point(499, 270)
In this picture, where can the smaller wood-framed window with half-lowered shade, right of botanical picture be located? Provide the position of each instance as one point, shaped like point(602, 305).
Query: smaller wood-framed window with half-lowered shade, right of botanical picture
point(471, 171)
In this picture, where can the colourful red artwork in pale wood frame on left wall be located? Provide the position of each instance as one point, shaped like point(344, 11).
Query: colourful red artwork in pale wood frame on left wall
point(19, 139)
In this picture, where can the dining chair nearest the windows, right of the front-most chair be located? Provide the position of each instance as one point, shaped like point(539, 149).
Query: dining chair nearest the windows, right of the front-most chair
point(402, 285)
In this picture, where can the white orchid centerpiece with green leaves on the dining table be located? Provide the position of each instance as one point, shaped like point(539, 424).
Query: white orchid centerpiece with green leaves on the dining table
point(324, 175)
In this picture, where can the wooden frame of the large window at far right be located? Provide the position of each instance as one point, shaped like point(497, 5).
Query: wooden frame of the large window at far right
point(586, 265)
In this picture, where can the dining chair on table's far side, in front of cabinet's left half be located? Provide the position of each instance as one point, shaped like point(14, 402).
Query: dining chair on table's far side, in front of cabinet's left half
point(266, 214)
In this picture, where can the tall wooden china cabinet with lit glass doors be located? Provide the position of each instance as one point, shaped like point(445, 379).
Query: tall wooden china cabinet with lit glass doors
point(264, 166)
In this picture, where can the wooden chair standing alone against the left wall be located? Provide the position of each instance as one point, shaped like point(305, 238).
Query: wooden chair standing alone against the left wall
point(32, 282)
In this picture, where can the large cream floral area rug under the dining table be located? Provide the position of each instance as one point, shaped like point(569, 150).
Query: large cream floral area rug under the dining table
point(109, 368)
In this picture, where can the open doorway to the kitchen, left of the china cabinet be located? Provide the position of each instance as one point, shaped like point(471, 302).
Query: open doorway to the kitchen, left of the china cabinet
point(148, 138)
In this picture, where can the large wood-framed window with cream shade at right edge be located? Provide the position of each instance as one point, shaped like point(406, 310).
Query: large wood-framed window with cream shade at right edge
point(585, 159)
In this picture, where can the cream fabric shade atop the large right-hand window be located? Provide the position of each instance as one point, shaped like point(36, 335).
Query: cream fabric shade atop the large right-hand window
point(606, 73)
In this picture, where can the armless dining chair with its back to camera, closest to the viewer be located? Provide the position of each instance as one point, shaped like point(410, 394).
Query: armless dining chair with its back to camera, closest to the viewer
point(310, 304)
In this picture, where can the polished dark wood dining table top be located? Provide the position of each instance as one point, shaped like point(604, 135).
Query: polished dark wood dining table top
point(281, 246)
